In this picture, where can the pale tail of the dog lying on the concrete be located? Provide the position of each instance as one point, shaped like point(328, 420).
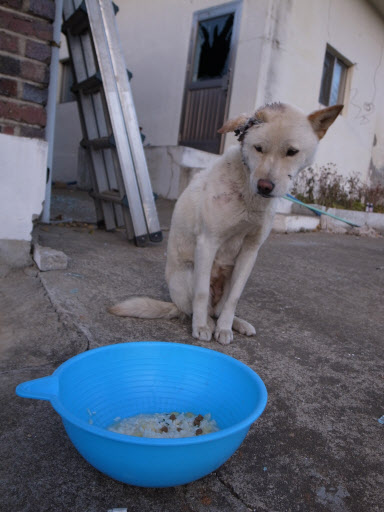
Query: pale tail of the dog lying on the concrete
point(144, 307)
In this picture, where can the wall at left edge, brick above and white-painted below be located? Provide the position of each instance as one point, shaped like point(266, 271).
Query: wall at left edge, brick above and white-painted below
point(25, 53)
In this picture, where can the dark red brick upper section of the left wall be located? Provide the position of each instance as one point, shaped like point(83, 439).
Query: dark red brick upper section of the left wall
point(25, 55)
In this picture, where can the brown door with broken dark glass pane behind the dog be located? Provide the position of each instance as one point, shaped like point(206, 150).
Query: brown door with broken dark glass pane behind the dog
point(208, 78)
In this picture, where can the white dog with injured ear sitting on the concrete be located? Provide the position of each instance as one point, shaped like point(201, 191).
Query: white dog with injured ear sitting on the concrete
point(222, 218)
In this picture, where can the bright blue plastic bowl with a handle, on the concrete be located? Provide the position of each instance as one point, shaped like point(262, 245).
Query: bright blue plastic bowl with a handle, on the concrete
point(147, 377)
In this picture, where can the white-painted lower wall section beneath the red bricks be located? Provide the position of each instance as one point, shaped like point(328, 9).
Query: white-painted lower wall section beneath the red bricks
point(23, 170)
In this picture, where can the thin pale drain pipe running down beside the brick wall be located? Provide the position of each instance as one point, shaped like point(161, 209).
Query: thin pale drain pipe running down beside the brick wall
point(51, 106)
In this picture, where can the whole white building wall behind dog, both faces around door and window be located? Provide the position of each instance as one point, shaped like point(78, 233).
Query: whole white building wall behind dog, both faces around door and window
point(279, 57)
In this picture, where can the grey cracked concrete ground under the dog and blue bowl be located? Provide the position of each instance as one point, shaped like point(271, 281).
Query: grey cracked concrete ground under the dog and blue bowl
point(317, 302)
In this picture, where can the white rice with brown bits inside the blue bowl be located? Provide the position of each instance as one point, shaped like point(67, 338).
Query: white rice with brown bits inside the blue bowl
point(165, 425)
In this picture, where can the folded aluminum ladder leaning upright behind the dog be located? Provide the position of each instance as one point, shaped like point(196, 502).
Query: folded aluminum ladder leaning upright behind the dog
point(120, 180)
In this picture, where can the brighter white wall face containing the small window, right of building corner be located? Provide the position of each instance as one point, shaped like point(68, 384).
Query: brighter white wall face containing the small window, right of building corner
point(355, 30)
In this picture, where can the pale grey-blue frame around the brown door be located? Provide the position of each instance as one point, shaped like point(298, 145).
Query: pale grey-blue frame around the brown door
point(201, 15)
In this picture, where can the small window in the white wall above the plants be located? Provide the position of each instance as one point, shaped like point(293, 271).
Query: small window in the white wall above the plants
point(334, 78)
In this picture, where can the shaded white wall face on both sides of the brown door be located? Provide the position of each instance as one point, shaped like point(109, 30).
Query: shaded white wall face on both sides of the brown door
point(155, 37)
